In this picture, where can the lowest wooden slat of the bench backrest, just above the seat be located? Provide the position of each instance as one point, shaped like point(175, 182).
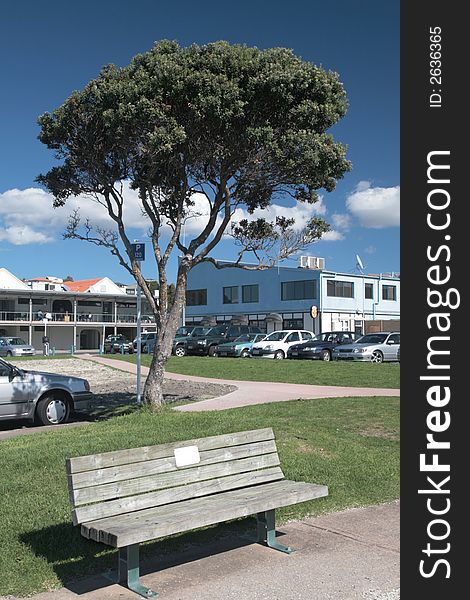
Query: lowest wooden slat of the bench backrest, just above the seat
point(93, 512)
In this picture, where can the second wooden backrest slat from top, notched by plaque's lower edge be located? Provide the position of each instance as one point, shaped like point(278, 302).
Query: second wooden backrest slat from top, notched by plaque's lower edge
point(166, 465)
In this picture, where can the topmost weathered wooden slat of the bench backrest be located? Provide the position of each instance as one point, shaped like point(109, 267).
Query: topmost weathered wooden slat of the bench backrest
point(133, 455)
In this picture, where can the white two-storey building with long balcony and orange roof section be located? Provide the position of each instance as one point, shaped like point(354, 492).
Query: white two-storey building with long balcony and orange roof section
point(75, 315)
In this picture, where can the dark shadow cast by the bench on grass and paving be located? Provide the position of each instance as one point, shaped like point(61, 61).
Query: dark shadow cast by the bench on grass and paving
point(83, 565)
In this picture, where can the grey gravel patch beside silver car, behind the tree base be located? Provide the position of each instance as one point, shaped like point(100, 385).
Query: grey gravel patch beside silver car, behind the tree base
point(112, 387)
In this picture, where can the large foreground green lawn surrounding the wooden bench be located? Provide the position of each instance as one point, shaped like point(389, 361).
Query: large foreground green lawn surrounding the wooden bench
point(349, 444)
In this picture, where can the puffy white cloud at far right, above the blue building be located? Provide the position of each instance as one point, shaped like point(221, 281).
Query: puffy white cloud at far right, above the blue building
point(375, 207)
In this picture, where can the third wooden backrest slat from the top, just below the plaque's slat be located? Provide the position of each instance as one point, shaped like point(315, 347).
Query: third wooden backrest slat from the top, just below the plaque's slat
point(171, 479)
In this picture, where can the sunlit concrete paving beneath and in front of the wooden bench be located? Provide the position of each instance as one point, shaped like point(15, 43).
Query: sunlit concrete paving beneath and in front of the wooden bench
point(349, 555)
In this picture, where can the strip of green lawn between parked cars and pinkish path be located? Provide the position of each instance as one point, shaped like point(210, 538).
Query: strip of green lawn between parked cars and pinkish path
point(315, 372)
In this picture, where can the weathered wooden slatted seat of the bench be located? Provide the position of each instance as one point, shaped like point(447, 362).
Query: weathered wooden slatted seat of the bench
point(199, 512)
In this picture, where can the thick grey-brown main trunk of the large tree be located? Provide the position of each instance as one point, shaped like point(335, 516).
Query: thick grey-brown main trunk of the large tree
point(153, 389)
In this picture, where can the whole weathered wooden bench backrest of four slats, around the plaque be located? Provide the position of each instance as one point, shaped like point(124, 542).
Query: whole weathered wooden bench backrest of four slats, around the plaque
point(119, 482)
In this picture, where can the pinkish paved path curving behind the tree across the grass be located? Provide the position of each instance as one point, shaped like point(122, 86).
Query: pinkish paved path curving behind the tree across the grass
point(252, 392)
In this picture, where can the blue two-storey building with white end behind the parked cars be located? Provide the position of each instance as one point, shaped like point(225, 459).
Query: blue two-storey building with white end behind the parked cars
point(293, 298)
